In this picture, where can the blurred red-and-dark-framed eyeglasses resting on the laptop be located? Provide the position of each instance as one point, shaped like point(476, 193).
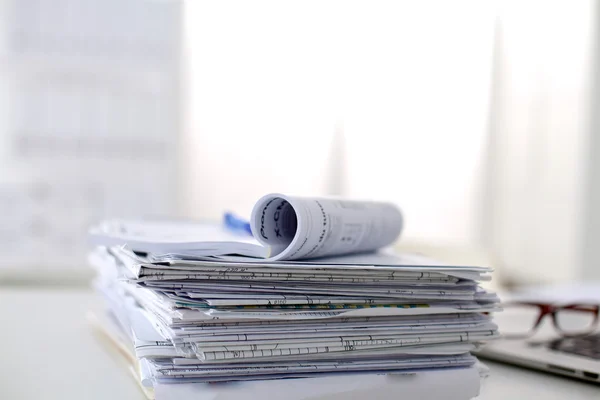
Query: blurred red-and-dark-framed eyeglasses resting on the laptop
point(522, 319)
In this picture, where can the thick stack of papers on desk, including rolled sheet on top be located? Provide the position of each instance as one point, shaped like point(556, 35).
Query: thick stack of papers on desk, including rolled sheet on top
point(311, 295)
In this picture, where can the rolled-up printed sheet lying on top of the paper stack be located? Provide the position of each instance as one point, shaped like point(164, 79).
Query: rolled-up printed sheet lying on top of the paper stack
point(301, 227)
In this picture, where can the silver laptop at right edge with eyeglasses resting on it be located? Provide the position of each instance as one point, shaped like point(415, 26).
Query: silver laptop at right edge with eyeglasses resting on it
point(553, 345)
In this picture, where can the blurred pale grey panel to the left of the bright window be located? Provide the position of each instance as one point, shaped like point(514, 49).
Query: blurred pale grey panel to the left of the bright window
point(89, 125)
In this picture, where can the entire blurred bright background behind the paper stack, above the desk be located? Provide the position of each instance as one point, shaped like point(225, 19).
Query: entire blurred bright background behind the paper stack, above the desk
point(476, 117)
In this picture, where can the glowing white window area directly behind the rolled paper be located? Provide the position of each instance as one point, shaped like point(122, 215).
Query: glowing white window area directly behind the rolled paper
point(407, 83)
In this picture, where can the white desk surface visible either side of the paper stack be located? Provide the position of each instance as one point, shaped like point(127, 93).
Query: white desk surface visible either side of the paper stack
point(48, 350)
